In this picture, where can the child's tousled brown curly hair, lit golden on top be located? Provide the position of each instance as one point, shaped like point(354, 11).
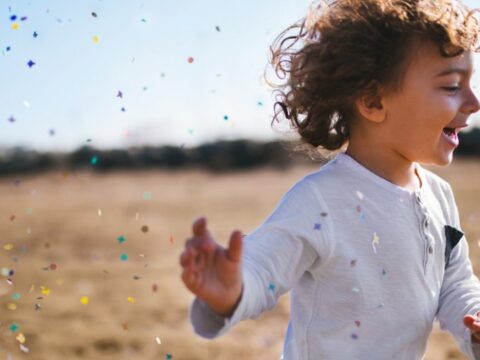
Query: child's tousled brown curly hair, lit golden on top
point(344, 49)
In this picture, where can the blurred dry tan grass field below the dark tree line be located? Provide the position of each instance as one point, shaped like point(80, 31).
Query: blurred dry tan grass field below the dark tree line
point(60, 234)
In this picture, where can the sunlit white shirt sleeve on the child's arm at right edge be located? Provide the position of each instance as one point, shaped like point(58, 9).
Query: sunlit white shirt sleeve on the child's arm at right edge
point(460, 292)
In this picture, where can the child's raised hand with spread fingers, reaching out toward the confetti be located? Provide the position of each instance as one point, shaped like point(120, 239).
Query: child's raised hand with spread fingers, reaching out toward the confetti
point(212, 272)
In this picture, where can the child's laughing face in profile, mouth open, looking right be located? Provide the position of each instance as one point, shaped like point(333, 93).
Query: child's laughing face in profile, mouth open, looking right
point(417, 116)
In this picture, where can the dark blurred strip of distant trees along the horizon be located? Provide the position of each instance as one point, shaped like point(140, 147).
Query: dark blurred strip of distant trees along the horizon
point(219, 156)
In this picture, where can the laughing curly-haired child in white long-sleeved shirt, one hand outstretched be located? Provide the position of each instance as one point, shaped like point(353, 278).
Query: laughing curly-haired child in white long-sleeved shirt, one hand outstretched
point(370, 244)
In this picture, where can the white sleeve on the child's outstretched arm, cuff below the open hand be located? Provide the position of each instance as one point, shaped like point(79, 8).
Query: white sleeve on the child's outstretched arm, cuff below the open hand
point(276, 255)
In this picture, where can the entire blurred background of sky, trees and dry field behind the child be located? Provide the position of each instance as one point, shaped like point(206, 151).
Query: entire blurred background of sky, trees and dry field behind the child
point(121, 122)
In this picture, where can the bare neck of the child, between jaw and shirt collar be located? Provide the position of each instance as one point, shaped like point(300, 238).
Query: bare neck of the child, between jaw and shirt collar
point(390, 166)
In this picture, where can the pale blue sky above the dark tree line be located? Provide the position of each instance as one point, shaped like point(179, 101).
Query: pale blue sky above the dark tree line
point(188, 71)
